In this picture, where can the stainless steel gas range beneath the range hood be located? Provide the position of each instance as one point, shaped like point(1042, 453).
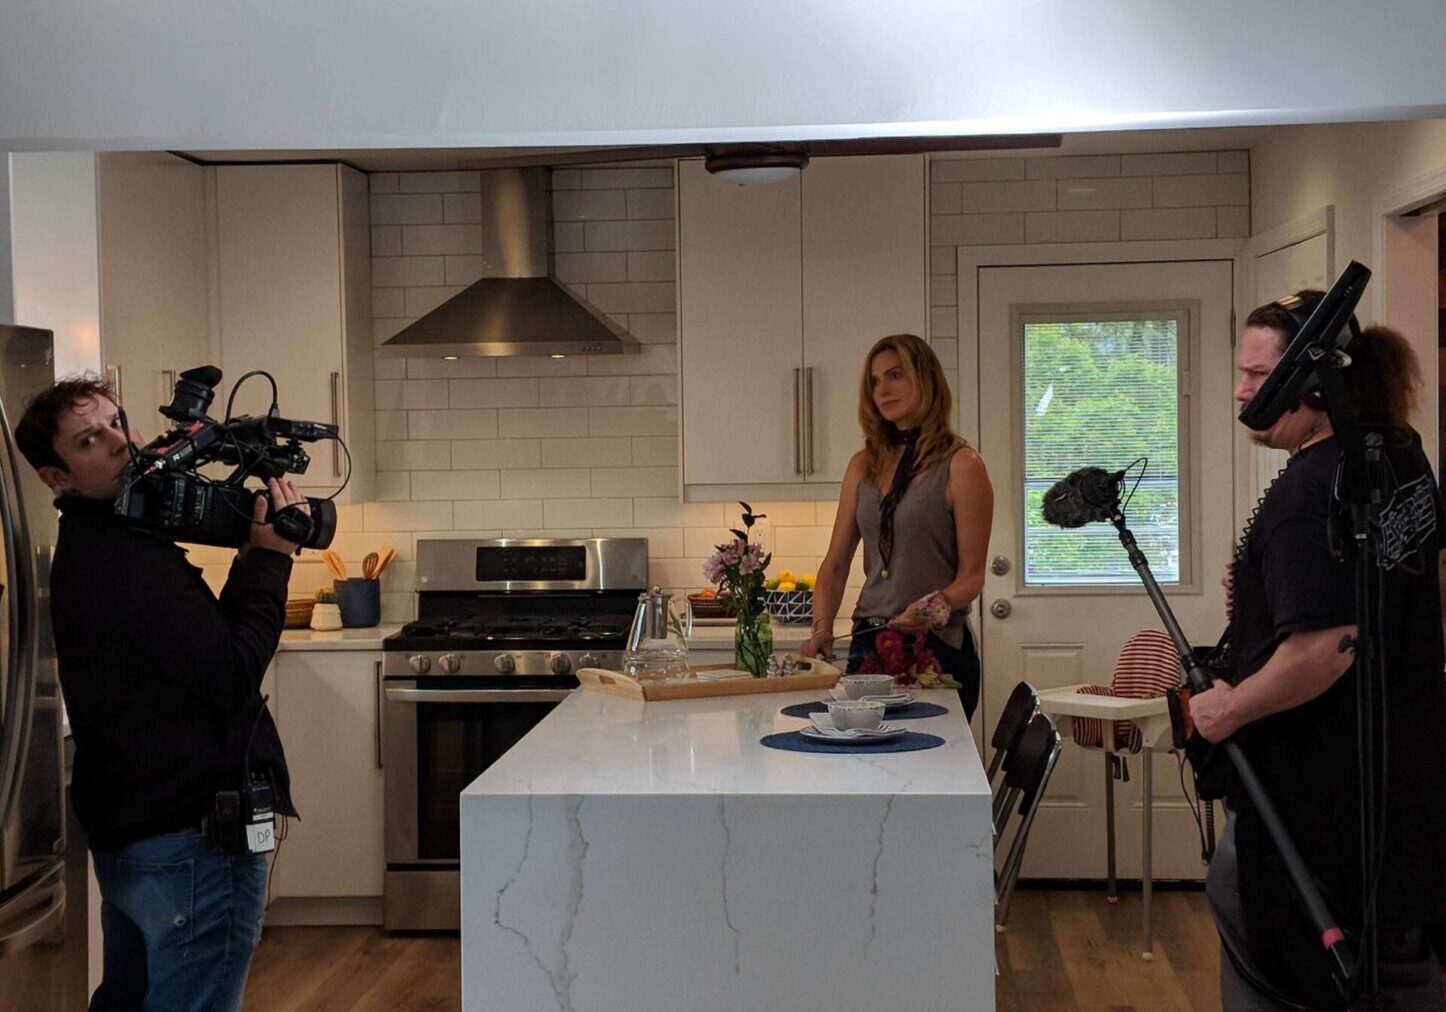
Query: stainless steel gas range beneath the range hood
point(501, 628)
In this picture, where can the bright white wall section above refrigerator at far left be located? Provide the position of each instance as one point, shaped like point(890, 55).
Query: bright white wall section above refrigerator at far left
point(56, 254)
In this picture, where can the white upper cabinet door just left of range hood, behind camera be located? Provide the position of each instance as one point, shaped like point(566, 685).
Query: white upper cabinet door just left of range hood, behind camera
point(281, 304)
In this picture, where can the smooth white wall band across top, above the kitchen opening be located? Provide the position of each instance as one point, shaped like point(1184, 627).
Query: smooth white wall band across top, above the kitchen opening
point(433, 73)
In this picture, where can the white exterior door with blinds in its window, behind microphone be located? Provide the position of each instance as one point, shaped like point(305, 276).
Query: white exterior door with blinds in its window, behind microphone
point(1101, 365)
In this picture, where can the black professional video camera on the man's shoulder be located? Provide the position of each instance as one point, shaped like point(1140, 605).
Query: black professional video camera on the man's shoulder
point(164, 492)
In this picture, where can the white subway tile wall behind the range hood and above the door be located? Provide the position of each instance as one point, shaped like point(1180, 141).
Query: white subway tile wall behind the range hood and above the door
point(589, 446)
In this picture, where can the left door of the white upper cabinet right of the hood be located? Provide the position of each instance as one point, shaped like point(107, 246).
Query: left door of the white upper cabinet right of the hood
point(740, 329)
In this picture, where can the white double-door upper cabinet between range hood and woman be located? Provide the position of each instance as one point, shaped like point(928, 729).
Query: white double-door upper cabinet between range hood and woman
point(782, 293)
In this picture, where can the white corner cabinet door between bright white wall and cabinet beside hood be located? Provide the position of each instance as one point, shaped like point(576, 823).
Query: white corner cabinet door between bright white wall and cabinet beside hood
point(155, 303)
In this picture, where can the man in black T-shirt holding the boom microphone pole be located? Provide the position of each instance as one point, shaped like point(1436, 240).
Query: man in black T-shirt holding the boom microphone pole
point(1291, 698)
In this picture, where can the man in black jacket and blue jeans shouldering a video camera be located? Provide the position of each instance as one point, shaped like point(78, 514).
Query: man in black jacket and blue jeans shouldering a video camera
point(163, 686)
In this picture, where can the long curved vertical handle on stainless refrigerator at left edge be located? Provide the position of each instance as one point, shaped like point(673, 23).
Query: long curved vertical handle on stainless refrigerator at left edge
point(21, 601)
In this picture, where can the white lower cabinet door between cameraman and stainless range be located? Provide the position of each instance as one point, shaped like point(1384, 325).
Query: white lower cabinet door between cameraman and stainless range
point(329, 726)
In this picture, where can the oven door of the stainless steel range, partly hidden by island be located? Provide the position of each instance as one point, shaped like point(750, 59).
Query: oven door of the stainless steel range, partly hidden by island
point(437, 739)
